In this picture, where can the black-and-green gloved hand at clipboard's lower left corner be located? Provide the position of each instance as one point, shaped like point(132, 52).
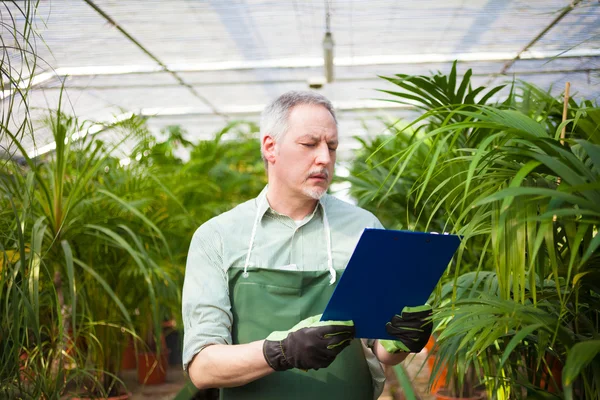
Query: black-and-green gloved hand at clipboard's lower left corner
point(311, 344)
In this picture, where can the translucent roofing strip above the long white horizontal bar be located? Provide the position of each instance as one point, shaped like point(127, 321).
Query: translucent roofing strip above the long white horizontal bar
point(179, 31)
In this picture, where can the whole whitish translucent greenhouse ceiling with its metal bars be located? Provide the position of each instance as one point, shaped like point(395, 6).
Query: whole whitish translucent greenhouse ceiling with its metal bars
point(200, 64)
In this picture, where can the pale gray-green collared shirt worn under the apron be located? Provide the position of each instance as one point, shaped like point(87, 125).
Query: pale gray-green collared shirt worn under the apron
point(222, 243)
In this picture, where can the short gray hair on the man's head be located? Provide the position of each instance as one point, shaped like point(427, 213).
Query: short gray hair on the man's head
point(274, 118)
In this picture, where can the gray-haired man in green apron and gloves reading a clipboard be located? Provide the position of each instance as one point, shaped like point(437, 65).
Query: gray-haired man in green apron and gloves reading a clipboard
point(257, 275)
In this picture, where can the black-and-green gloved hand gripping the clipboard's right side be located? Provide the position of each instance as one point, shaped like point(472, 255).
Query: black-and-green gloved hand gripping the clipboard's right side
point(412, 330)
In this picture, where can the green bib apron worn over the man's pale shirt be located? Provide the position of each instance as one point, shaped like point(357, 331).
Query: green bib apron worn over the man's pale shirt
point(267, 300)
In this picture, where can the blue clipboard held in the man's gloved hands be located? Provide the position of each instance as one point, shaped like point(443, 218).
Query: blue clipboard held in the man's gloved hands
point(388, 270)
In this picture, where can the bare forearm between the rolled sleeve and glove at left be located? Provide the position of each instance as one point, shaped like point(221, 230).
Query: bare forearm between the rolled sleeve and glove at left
point(223, 365)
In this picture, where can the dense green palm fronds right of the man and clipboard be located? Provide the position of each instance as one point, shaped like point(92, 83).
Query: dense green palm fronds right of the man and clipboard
point(522, 292)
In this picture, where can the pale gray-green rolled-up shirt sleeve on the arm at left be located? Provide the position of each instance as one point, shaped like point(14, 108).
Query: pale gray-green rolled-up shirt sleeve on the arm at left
point(206, 309)
